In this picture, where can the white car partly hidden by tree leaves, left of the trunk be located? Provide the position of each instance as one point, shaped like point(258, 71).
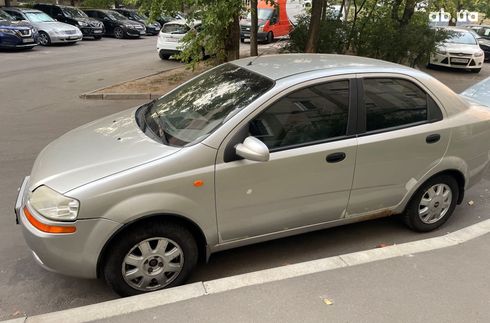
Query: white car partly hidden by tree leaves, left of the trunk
point(170, 37)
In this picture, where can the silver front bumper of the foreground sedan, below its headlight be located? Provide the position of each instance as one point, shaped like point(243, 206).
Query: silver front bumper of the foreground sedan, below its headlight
point(73, 254)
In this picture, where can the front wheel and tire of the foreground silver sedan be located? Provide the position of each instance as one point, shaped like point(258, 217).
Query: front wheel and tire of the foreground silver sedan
point(149, 273)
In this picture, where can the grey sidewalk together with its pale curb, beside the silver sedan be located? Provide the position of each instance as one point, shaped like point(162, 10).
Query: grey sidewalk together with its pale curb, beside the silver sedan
point(442, 279)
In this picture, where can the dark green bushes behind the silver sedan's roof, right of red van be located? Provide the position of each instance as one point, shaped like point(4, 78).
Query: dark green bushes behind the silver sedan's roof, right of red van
point(375, 32)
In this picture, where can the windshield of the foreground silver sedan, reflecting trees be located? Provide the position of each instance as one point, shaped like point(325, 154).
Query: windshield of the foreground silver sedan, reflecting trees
point(190, 113)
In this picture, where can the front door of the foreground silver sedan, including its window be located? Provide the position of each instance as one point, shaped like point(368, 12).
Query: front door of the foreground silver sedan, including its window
point(307, 180)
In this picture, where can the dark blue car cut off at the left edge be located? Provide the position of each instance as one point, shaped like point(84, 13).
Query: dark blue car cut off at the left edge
point(16, 34)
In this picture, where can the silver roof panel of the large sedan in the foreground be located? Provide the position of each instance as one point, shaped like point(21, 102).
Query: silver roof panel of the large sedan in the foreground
point(281, 66)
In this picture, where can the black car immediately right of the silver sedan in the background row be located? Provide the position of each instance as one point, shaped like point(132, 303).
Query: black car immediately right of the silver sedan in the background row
point(90, 27)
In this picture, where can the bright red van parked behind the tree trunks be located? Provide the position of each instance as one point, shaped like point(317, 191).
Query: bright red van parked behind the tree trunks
point(274, 20)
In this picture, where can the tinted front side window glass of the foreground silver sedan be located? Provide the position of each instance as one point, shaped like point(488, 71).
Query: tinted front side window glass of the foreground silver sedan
point(308, 115)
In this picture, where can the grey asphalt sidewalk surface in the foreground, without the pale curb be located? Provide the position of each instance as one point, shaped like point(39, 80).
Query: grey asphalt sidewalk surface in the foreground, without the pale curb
point(447, 285)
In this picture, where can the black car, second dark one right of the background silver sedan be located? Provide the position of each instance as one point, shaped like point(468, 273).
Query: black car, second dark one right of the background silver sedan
point(116, 24)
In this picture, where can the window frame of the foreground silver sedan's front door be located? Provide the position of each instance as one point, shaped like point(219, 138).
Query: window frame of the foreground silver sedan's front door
point(241, 131)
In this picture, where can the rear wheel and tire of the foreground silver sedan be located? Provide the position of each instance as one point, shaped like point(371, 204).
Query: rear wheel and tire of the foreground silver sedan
point(432, 204)
